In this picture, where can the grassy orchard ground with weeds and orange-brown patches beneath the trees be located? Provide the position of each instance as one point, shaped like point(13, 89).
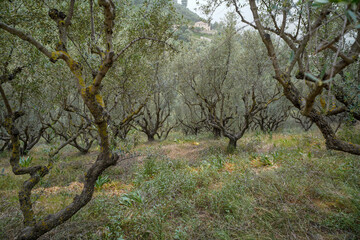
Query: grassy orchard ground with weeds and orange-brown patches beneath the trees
point(279, 186)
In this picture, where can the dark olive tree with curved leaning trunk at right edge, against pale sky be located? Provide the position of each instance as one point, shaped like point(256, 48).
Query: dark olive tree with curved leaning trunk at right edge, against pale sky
point(322, 39)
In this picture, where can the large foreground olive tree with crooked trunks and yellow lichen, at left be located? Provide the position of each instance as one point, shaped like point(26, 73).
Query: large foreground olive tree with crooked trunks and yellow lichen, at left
point(75, 28)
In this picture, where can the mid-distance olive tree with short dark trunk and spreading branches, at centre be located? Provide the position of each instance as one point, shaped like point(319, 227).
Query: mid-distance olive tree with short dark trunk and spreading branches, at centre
point(229, 93)
